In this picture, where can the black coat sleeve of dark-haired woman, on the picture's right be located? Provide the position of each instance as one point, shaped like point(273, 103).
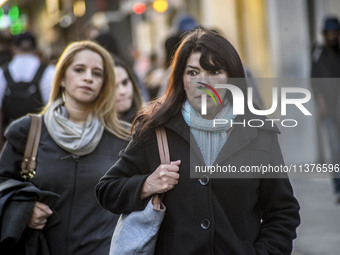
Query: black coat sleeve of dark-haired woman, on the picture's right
point(280, 211)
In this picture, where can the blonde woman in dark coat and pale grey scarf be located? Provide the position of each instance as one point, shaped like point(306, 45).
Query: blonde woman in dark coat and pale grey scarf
point(81, 138)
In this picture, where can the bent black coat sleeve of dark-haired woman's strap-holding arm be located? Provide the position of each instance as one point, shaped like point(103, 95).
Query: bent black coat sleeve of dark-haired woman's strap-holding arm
point(119, 189)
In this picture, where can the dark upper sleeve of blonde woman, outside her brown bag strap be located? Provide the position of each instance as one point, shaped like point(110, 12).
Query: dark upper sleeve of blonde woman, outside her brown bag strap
point(13, 150)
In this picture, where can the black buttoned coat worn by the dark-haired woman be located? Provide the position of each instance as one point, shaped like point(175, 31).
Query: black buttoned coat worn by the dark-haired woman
point(210, 216)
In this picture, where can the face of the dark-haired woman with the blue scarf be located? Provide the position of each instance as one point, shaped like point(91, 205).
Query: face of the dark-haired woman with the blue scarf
point(195, 73)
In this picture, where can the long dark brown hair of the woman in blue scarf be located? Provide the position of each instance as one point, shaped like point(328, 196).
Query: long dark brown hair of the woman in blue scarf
point(216, 53)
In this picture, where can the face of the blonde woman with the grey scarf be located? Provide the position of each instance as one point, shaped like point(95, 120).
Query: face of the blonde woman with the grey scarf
point(84, 78)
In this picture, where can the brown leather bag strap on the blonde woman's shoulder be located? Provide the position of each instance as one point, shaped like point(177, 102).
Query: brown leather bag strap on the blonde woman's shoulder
point(29, 163)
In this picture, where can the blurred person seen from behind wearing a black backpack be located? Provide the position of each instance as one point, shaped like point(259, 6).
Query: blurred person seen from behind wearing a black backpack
point(25, 82)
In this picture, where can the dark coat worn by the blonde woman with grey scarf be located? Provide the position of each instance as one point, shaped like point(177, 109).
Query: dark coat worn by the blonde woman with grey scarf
point(85, 227)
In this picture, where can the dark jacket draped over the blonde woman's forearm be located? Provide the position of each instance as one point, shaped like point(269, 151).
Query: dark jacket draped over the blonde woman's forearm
point(16, 204)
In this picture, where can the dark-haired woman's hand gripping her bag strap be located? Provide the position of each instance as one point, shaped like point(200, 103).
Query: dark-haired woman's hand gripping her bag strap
point(164, 178)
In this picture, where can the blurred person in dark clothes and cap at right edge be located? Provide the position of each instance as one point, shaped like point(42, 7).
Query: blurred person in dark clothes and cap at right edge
point(326, 64)
